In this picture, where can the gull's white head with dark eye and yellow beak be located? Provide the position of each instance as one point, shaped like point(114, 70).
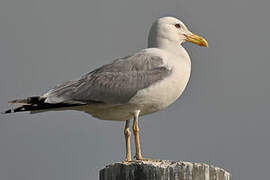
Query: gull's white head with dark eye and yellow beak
point(170, 32)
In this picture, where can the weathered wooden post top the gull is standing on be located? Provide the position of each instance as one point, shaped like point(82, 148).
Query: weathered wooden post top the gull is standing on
point(162, 170)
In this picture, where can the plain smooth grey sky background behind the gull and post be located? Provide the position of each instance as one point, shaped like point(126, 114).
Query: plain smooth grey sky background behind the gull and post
point(222, 117)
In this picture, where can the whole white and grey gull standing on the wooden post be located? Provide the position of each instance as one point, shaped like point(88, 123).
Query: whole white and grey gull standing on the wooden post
point(129, 87)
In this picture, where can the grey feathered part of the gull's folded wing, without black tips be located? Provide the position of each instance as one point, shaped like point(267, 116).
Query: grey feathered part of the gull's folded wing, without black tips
point(114, 83)
